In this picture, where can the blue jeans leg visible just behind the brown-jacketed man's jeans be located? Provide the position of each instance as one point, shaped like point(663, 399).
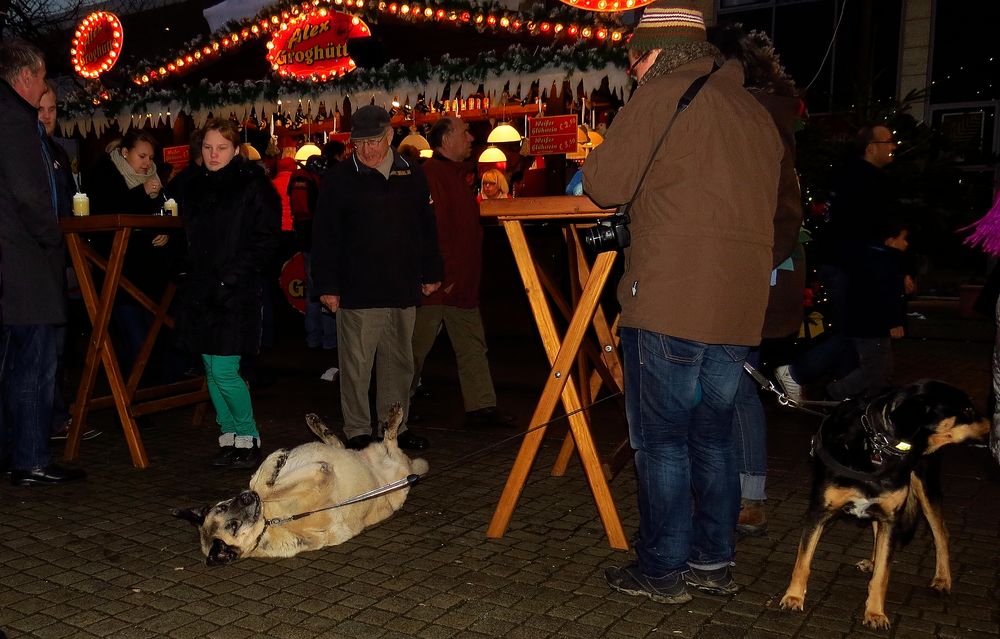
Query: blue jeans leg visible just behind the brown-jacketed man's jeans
point(750, 435)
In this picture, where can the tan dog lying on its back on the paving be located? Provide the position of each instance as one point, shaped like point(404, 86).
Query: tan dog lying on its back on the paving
point(304, 479)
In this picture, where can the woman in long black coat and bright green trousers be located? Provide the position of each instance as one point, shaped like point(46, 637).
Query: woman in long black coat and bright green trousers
point(232, 217)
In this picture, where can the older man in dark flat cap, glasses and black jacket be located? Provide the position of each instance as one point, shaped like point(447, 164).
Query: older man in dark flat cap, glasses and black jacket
point(375, 254)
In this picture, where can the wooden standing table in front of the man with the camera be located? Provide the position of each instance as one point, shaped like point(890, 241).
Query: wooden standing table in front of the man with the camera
point(578, 367)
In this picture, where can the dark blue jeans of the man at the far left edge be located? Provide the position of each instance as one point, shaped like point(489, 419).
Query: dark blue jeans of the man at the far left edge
point(28, 372)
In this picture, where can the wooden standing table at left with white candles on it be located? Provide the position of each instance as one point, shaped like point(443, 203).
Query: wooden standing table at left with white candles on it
point(128, 399)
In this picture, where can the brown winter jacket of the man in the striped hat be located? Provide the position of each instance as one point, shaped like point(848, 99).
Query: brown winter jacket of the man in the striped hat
point(702, 224)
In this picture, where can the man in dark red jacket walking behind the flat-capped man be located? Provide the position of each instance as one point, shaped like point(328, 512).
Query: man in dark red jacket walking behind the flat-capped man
point(456, 303)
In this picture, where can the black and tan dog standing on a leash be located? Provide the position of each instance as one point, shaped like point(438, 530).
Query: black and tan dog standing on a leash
point(877, 460)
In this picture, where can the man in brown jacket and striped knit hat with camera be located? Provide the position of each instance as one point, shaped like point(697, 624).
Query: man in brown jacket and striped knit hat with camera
point(693, 293)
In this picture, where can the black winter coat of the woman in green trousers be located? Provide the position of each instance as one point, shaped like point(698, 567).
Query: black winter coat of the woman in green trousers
point(232, 218)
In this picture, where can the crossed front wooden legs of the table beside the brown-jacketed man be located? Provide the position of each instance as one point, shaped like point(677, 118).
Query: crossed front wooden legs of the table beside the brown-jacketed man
point(563, 354)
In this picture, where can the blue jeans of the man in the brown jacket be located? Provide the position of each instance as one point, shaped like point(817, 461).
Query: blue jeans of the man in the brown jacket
point(679, 398)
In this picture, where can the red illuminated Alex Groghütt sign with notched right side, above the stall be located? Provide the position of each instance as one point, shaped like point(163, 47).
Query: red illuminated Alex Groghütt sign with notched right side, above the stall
point(314, 45)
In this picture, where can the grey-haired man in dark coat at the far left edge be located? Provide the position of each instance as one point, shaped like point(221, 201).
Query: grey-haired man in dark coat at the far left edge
point(33, 271)
